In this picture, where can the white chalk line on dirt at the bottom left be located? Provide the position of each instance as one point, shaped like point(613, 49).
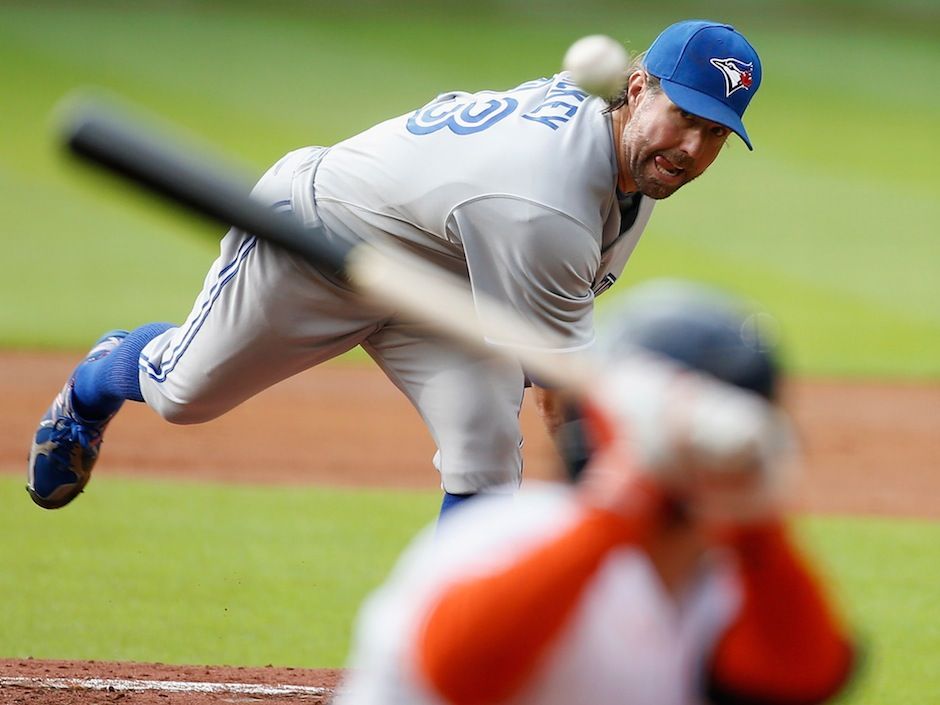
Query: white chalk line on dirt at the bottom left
point(120, 684)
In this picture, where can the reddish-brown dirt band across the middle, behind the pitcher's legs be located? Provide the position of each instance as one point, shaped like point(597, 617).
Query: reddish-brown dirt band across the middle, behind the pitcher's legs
point(868, 447)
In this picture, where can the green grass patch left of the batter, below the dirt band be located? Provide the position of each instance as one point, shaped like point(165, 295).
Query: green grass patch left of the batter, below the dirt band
point(156, 571)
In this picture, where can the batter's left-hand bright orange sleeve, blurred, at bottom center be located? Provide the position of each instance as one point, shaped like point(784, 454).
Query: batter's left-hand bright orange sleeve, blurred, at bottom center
point(484, 637)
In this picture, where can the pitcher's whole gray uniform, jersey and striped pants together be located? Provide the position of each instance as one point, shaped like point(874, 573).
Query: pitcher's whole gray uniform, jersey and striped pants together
point(515, 190)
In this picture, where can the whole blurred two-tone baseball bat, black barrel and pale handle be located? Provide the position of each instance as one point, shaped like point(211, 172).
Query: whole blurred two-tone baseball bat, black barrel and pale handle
point(128, 146)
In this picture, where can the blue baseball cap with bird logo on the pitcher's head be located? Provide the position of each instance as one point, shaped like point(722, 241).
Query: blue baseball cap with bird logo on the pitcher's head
point(707, 69)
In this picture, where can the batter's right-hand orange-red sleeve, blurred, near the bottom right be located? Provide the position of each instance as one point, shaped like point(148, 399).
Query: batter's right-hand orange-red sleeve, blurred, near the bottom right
point(785, 646)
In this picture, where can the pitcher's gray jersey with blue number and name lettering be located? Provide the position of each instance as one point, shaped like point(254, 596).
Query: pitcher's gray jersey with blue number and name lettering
point(514, 189)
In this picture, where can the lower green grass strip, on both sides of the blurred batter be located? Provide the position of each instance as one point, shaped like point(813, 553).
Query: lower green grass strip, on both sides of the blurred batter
point(195, 573)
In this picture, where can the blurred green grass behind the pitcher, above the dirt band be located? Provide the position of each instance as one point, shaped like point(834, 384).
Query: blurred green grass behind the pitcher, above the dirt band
point(831, 223)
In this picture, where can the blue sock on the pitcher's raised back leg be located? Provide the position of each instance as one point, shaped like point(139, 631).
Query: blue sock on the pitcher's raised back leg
point(103, 385)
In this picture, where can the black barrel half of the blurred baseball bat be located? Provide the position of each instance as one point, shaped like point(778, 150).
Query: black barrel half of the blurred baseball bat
point(125, 146)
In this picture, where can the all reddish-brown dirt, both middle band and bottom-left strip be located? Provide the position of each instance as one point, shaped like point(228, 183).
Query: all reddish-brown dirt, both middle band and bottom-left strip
point(869, 448)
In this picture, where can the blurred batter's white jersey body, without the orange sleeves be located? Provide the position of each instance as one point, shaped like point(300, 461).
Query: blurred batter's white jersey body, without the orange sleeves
point(628, 641)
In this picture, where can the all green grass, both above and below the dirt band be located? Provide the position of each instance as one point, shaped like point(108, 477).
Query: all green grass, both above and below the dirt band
point(831, 223)
